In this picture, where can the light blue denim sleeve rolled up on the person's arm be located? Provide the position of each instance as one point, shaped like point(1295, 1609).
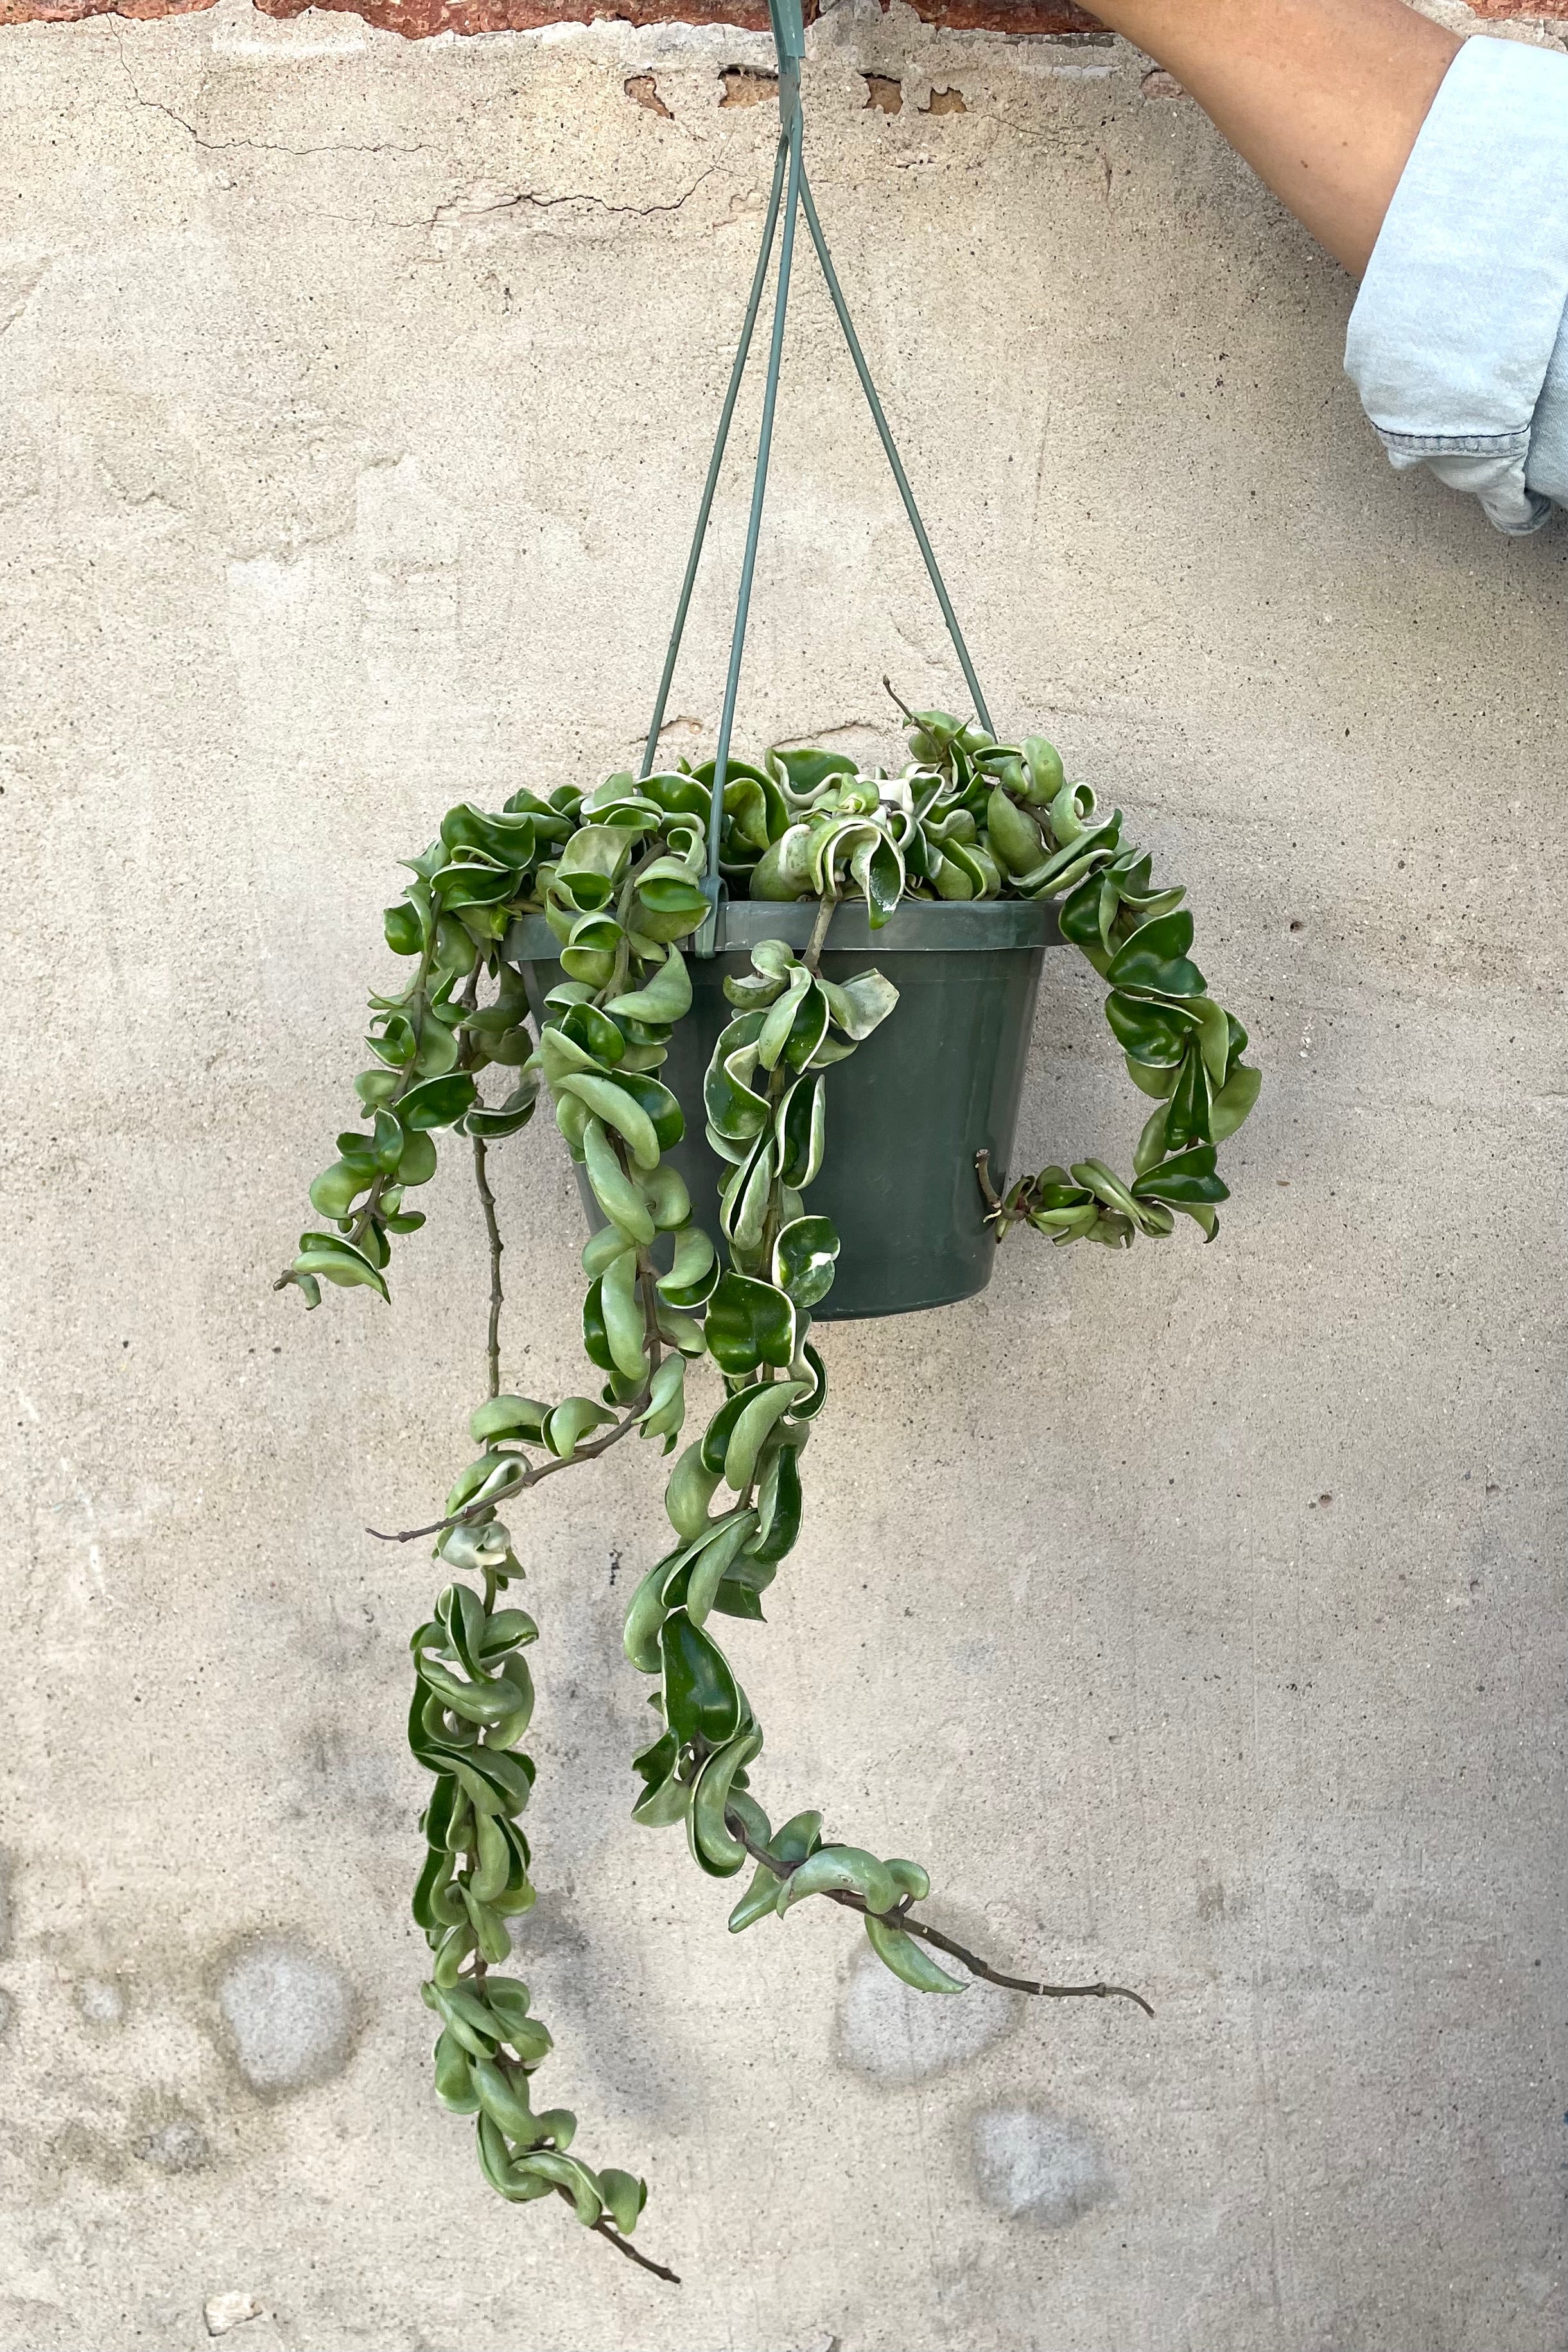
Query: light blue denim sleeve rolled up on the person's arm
point(1459, 345)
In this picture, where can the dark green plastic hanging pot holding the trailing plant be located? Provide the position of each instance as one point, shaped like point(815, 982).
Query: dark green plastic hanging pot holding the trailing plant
point(932, 1088)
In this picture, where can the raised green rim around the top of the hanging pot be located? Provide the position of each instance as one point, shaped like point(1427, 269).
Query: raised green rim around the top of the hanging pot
point(916, 928)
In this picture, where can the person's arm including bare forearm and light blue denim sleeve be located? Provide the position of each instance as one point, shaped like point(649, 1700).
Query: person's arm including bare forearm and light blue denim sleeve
point(1438, 173)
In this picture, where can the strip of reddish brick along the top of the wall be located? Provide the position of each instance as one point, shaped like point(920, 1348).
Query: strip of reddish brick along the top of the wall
point(417, 20)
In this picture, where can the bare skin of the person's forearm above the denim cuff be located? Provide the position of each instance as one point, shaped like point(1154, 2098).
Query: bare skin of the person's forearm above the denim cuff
point(1322, 98)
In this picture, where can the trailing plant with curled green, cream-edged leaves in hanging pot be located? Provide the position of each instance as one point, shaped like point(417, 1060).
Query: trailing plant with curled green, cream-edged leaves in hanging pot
point(619, 878)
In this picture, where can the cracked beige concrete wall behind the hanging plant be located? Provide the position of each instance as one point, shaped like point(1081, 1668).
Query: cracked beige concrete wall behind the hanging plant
point(1193, 1615)
